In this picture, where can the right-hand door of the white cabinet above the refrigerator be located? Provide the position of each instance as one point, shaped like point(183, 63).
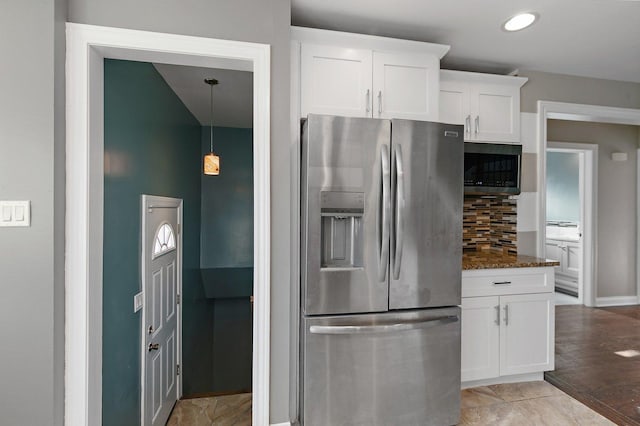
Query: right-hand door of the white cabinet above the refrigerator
point(405, 86)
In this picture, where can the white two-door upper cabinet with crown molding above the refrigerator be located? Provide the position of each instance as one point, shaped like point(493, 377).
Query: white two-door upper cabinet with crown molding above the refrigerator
point(364, 76)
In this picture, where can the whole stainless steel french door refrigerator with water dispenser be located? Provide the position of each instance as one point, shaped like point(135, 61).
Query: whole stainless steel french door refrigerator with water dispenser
point(380, 271)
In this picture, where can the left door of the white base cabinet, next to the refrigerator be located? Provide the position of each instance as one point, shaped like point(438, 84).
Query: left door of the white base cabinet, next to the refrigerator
point(480, 338)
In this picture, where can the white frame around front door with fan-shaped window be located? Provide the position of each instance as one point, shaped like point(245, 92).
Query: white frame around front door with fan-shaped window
point(148, 201)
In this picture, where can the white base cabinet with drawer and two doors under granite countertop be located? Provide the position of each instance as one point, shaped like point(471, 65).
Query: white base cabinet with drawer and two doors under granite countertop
point(507, 323)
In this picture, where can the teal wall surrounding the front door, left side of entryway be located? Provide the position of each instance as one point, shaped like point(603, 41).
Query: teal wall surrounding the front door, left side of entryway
point(152, 146)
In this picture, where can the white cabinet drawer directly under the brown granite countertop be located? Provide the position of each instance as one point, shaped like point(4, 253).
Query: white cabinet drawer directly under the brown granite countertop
point(496, 282)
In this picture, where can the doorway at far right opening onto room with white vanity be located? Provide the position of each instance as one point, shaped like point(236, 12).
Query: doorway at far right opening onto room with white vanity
point(570, 210)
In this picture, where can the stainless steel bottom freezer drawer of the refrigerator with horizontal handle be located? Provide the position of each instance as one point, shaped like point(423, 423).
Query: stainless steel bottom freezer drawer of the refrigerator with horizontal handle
point(382, 369)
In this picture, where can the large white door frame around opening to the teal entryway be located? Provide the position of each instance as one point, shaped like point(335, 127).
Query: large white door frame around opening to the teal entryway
point(87, 46)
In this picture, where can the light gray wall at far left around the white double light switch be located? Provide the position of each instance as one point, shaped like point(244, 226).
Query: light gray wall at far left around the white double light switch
point(32, 168)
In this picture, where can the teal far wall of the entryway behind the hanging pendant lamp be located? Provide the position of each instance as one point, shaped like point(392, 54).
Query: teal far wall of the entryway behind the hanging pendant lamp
point(227, 255)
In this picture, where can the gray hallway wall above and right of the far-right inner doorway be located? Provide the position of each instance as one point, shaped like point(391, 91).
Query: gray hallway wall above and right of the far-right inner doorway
point(616, 222)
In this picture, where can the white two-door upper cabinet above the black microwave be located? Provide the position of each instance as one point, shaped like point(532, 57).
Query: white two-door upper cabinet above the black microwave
point(487, 105)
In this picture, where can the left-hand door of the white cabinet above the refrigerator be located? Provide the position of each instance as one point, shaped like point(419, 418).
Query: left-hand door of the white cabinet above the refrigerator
point(335, 81)
